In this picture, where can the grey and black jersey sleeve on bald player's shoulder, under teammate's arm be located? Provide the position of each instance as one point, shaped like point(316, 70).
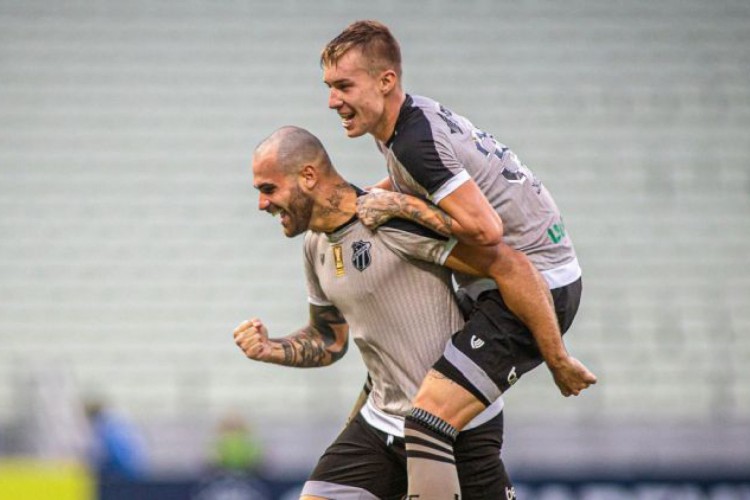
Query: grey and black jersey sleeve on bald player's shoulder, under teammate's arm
point(412, 241)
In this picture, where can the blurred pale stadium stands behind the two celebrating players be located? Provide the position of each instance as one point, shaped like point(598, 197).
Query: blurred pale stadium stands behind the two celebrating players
point(131, 245)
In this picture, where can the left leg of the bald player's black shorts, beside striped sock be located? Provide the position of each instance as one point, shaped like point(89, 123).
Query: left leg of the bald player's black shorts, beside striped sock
point(362, 458)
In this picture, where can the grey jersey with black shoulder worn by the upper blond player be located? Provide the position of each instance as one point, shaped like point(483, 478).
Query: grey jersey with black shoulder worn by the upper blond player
point(433, 151)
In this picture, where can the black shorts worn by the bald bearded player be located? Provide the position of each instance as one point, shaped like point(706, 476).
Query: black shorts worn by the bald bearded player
point(365, 463)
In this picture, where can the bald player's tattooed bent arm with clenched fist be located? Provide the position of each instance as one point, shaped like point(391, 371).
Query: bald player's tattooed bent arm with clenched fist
point(322, 342)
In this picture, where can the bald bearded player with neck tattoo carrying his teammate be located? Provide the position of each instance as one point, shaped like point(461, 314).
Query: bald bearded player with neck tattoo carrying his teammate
point(391, 290)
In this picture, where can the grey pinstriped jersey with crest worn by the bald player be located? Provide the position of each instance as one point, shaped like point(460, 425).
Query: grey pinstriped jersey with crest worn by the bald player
point(396, 297)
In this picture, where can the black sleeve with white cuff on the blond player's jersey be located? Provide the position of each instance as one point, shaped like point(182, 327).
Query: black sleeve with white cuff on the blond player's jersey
point(426, 153)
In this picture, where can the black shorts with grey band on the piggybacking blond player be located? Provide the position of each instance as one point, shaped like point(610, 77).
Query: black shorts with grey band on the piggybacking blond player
point(495, 348)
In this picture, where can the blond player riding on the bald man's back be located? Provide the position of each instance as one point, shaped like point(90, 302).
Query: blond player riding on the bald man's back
point(485, 197)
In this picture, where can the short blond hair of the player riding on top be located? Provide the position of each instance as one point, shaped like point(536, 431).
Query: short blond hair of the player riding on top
point(373, 39)
